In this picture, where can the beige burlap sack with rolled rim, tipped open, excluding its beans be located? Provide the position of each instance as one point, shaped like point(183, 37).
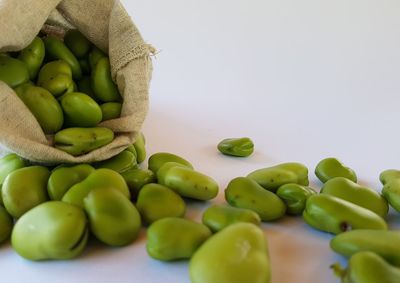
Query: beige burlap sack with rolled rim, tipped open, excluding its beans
point(109, 27)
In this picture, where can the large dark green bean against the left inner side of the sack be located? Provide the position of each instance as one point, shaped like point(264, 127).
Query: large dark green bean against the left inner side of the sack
point(44, 107)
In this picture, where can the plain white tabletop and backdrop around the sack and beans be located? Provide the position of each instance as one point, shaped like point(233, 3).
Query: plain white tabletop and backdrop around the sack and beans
point(304, 79)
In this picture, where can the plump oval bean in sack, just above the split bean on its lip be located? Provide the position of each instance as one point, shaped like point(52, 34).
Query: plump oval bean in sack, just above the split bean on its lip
point(80, 110)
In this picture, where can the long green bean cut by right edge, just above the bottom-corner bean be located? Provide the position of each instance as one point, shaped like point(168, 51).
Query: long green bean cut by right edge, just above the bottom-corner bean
point(381, 242)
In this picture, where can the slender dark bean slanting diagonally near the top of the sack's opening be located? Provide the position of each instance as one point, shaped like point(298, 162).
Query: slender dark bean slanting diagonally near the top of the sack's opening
point(56, 49)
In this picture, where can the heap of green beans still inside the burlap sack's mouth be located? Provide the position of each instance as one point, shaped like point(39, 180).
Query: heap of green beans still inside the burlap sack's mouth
point(67, 86)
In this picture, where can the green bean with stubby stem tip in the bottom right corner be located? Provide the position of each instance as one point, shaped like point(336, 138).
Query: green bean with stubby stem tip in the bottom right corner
point(367, 267)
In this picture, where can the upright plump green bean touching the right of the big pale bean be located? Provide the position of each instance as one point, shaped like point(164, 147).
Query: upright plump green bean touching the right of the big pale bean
point(113, 219)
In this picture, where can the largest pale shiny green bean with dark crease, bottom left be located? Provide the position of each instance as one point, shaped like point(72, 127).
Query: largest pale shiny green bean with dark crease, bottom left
point(54, 229)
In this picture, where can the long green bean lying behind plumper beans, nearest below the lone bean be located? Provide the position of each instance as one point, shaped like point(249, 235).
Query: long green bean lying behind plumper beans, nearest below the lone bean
point(271, 178)
